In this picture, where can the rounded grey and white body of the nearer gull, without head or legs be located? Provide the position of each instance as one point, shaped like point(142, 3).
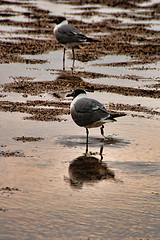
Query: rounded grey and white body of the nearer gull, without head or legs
point(87, 111)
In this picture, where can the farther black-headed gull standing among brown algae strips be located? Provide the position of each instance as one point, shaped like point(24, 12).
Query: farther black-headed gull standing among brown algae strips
point(68, 36)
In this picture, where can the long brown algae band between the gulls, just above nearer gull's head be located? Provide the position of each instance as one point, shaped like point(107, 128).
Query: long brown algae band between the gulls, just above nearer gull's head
point(73, 81)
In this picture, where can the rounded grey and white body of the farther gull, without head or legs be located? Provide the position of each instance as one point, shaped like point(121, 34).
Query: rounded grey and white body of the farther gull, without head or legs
point(67, 34)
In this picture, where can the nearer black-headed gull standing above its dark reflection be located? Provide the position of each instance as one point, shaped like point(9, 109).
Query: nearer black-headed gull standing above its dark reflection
point(89, 113)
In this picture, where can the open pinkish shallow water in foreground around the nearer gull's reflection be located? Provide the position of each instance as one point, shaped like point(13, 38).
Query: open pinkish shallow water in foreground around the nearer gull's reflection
point(48, 202)
